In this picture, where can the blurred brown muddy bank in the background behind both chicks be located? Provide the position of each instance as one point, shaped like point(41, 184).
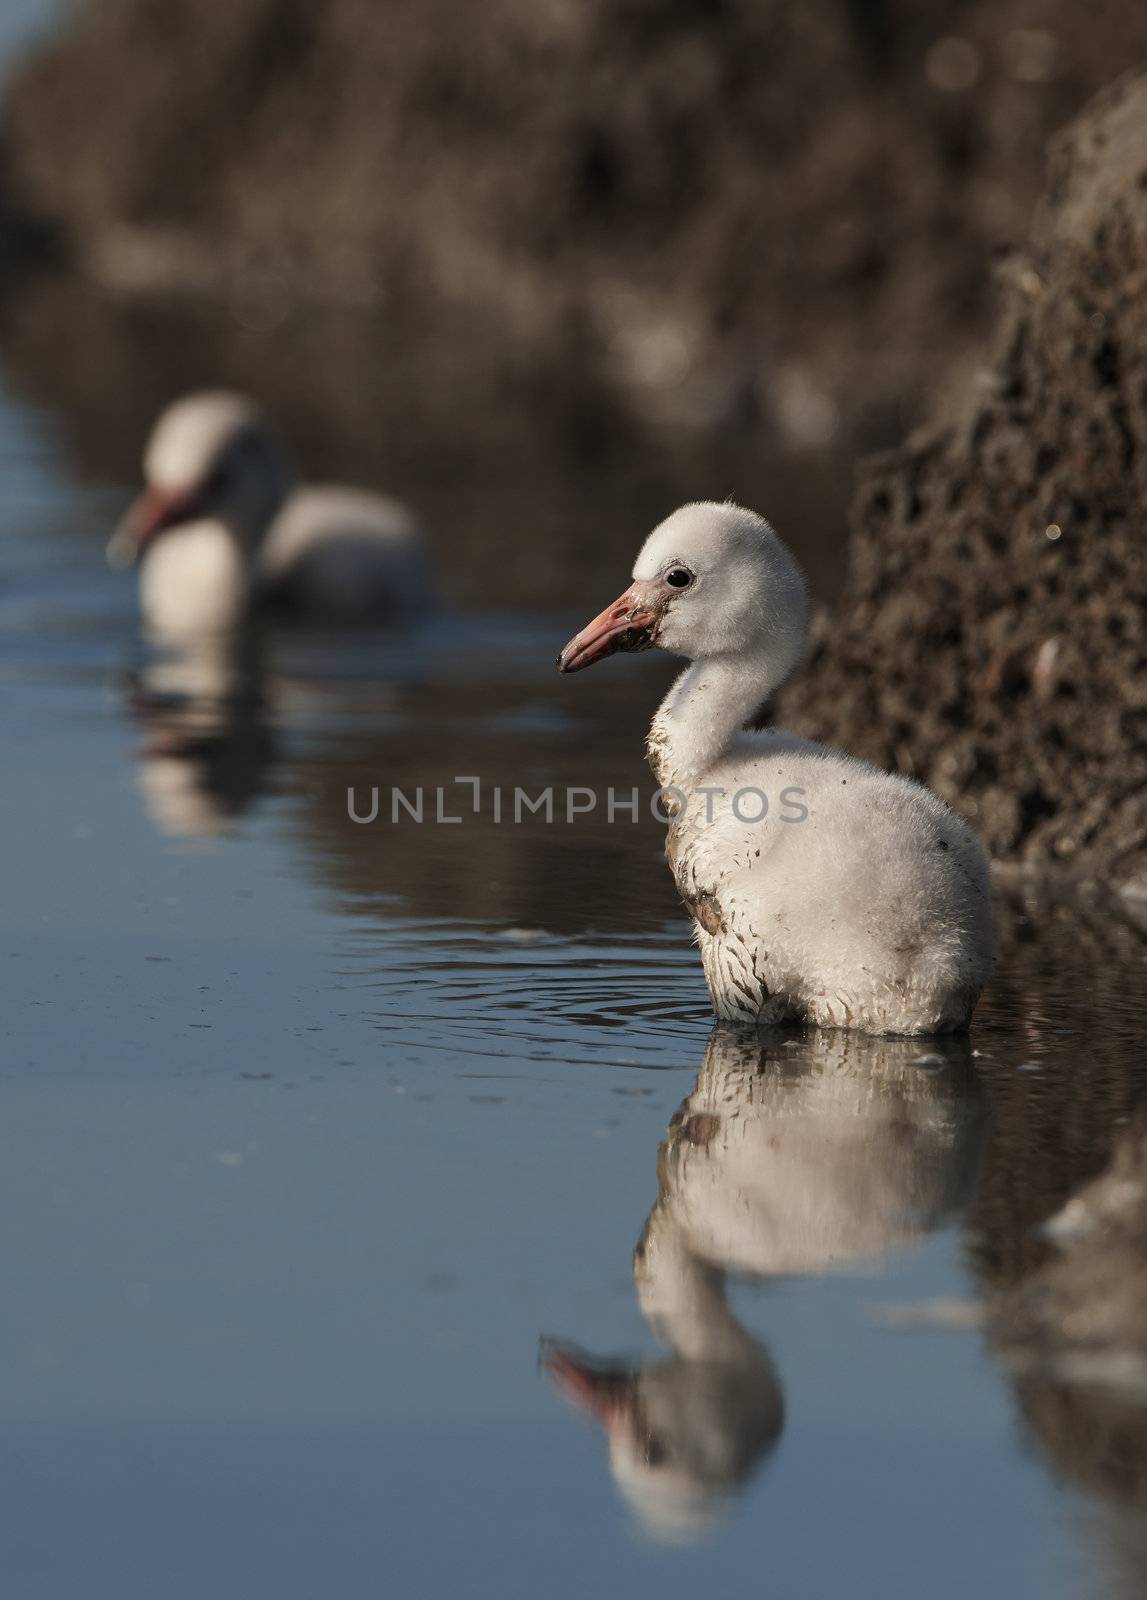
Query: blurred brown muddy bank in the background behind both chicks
point(743, 214)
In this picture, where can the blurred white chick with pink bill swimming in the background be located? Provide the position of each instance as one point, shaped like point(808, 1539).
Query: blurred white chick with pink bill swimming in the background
point(220, 530)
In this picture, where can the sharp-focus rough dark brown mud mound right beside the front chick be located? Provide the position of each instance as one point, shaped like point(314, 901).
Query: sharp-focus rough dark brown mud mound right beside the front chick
point(993, 636)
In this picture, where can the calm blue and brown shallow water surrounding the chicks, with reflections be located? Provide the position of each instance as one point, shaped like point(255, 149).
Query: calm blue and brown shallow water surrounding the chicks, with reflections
point(314, 1132)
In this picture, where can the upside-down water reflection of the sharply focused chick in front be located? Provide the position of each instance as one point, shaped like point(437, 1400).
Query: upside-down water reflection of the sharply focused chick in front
point(789, 1156)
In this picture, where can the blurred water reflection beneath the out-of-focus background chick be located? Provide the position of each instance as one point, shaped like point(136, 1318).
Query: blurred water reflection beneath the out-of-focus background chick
point(207, 745)
